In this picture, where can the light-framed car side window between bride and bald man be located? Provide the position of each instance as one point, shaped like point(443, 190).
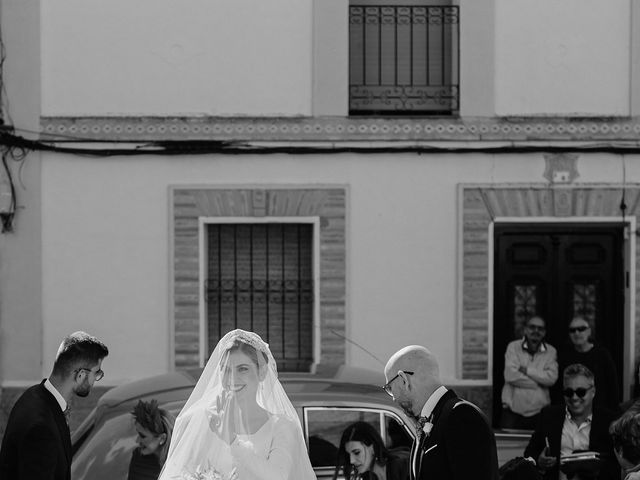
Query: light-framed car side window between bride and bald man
point(324, 427)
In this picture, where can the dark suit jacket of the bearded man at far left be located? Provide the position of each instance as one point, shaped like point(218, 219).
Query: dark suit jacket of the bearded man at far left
point(36, 443)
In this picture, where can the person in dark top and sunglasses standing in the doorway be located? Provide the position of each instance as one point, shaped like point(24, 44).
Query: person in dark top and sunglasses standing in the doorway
point(581, 349)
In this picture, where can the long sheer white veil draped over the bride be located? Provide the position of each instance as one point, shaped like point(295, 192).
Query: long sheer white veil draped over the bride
point(198, 445)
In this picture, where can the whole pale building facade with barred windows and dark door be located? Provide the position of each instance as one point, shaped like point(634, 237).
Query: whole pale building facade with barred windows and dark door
point(344, 176)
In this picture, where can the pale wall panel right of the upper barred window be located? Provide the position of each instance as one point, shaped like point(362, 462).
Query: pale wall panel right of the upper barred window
point(569, 57)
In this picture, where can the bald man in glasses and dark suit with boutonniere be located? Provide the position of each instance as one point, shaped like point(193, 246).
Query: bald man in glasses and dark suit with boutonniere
point(455, 441)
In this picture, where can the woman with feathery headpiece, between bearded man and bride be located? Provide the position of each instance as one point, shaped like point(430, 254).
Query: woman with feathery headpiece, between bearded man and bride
point(153, 426)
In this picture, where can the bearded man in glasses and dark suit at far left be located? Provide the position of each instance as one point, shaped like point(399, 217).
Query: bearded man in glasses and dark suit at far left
point(37, 442)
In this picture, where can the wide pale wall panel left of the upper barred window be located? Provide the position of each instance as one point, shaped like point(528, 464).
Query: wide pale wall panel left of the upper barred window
point(170, 57)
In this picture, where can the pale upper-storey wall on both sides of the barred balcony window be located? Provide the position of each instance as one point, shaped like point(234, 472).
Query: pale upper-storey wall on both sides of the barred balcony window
point(289, 57)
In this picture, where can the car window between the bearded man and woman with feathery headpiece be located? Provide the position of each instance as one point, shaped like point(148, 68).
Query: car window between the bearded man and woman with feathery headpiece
point(107, 453)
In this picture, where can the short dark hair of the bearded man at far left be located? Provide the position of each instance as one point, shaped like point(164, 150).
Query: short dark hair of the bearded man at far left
point(78, 349)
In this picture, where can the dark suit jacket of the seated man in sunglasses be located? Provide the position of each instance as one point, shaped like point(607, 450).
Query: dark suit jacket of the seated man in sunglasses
point(550, 426)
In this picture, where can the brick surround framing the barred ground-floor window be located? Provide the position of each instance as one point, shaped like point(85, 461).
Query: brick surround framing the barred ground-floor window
point(189, 204)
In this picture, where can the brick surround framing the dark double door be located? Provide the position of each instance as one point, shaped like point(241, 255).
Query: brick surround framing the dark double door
point(480, 205)
